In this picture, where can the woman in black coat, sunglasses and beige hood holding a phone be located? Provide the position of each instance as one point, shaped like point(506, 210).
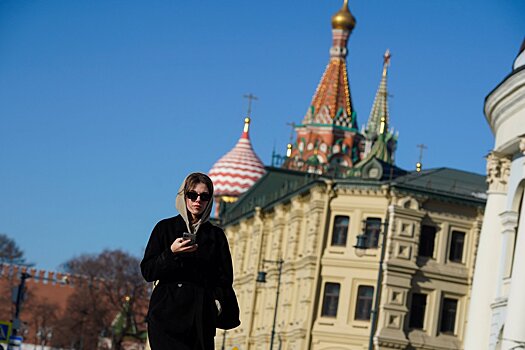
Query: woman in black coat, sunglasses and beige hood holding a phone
point(193, 279)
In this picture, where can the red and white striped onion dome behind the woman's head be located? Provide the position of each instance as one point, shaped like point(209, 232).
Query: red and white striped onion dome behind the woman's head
point(238, 169)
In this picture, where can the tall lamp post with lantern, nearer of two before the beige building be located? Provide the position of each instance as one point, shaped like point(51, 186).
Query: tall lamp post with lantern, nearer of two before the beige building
point(360, 248)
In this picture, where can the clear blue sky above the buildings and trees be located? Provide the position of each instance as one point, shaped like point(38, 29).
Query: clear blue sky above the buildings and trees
point(106, 105)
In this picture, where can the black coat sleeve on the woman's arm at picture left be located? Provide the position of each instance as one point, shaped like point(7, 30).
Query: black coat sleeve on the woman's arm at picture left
point(158, 257)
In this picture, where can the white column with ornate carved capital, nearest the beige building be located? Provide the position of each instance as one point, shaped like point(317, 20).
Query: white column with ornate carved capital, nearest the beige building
point(489, 247)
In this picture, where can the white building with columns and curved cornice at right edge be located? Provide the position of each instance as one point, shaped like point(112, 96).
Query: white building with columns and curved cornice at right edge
point(497, 308)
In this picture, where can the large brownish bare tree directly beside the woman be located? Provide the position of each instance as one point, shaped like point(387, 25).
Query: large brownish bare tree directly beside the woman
point(111, 302)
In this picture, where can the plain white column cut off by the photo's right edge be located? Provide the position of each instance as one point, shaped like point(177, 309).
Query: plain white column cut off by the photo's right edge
point(514, 332)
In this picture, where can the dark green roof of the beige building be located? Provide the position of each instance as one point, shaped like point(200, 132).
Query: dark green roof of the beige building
point(278, 185)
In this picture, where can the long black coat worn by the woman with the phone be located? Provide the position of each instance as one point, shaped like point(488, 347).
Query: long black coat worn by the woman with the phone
point(189, 283)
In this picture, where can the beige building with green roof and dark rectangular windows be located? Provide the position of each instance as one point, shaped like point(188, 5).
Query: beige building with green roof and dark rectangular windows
point(431, 221)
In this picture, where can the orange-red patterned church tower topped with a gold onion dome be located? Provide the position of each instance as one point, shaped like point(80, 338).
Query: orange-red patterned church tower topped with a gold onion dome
point(327, 137)
